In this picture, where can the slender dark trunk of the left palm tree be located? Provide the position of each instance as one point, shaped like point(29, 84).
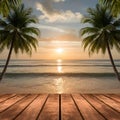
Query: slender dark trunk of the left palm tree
point(7, 62)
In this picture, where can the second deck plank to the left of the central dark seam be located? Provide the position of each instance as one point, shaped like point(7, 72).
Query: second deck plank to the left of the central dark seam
point(32, 111)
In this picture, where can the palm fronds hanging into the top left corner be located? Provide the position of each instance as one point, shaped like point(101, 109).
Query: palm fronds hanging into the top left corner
point(5, 6)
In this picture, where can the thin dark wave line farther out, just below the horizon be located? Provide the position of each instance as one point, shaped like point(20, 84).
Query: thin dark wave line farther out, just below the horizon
point(60, 65)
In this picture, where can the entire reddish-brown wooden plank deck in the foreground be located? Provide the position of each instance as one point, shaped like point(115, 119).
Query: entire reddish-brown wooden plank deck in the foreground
point(60, 107)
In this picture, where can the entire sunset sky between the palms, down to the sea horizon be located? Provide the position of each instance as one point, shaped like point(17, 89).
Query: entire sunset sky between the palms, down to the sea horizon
point(59, 23)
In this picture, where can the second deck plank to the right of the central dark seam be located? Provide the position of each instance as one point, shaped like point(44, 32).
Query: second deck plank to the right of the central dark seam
point(86, 109)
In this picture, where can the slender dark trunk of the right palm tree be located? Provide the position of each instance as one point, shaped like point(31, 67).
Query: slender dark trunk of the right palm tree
point(112, 62)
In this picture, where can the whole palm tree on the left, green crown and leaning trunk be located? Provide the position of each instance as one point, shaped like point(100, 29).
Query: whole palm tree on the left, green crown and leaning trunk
point(17, 34)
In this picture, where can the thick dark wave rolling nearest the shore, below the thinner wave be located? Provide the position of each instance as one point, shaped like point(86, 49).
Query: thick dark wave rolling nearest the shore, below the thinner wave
point(60, 74)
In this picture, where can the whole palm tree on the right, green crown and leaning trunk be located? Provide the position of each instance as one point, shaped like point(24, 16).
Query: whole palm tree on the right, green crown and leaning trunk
point(102, 34)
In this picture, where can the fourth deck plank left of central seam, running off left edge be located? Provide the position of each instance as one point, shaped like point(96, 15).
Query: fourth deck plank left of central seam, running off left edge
point(5, 105)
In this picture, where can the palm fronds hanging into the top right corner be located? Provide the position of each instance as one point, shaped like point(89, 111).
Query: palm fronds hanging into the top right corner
point(114, 6)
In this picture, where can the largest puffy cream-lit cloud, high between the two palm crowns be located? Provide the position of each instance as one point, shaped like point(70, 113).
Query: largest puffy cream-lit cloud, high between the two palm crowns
point(50, 14)
